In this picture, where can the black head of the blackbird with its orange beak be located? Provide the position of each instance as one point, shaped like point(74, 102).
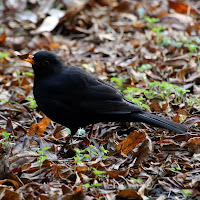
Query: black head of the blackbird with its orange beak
point(44, 63)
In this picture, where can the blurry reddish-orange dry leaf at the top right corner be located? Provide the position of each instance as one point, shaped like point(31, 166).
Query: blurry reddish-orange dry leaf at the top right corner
point(182, 7)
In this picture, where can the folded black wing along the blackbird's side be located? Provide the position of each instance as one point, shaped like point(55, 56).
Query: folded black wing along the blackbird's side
point(85, 93)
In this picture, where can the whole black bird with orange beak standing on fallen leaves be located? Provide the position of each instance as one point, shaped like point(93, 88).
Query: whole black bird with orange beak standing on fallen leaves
point(74, 98)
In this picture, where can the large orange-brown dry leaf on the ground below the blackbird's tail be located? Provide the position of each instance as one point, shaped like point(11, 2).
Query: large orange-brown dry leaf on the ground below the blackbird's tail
point(130, 143)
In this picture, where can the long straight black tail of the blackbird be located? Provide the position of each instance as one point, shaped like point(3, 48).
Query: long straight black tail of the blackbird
point(160, 122)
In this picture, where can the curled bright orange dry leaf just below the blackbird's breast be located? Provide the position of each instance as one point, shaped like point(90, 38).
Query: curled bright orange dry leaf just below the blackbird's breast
point(39, 128)
